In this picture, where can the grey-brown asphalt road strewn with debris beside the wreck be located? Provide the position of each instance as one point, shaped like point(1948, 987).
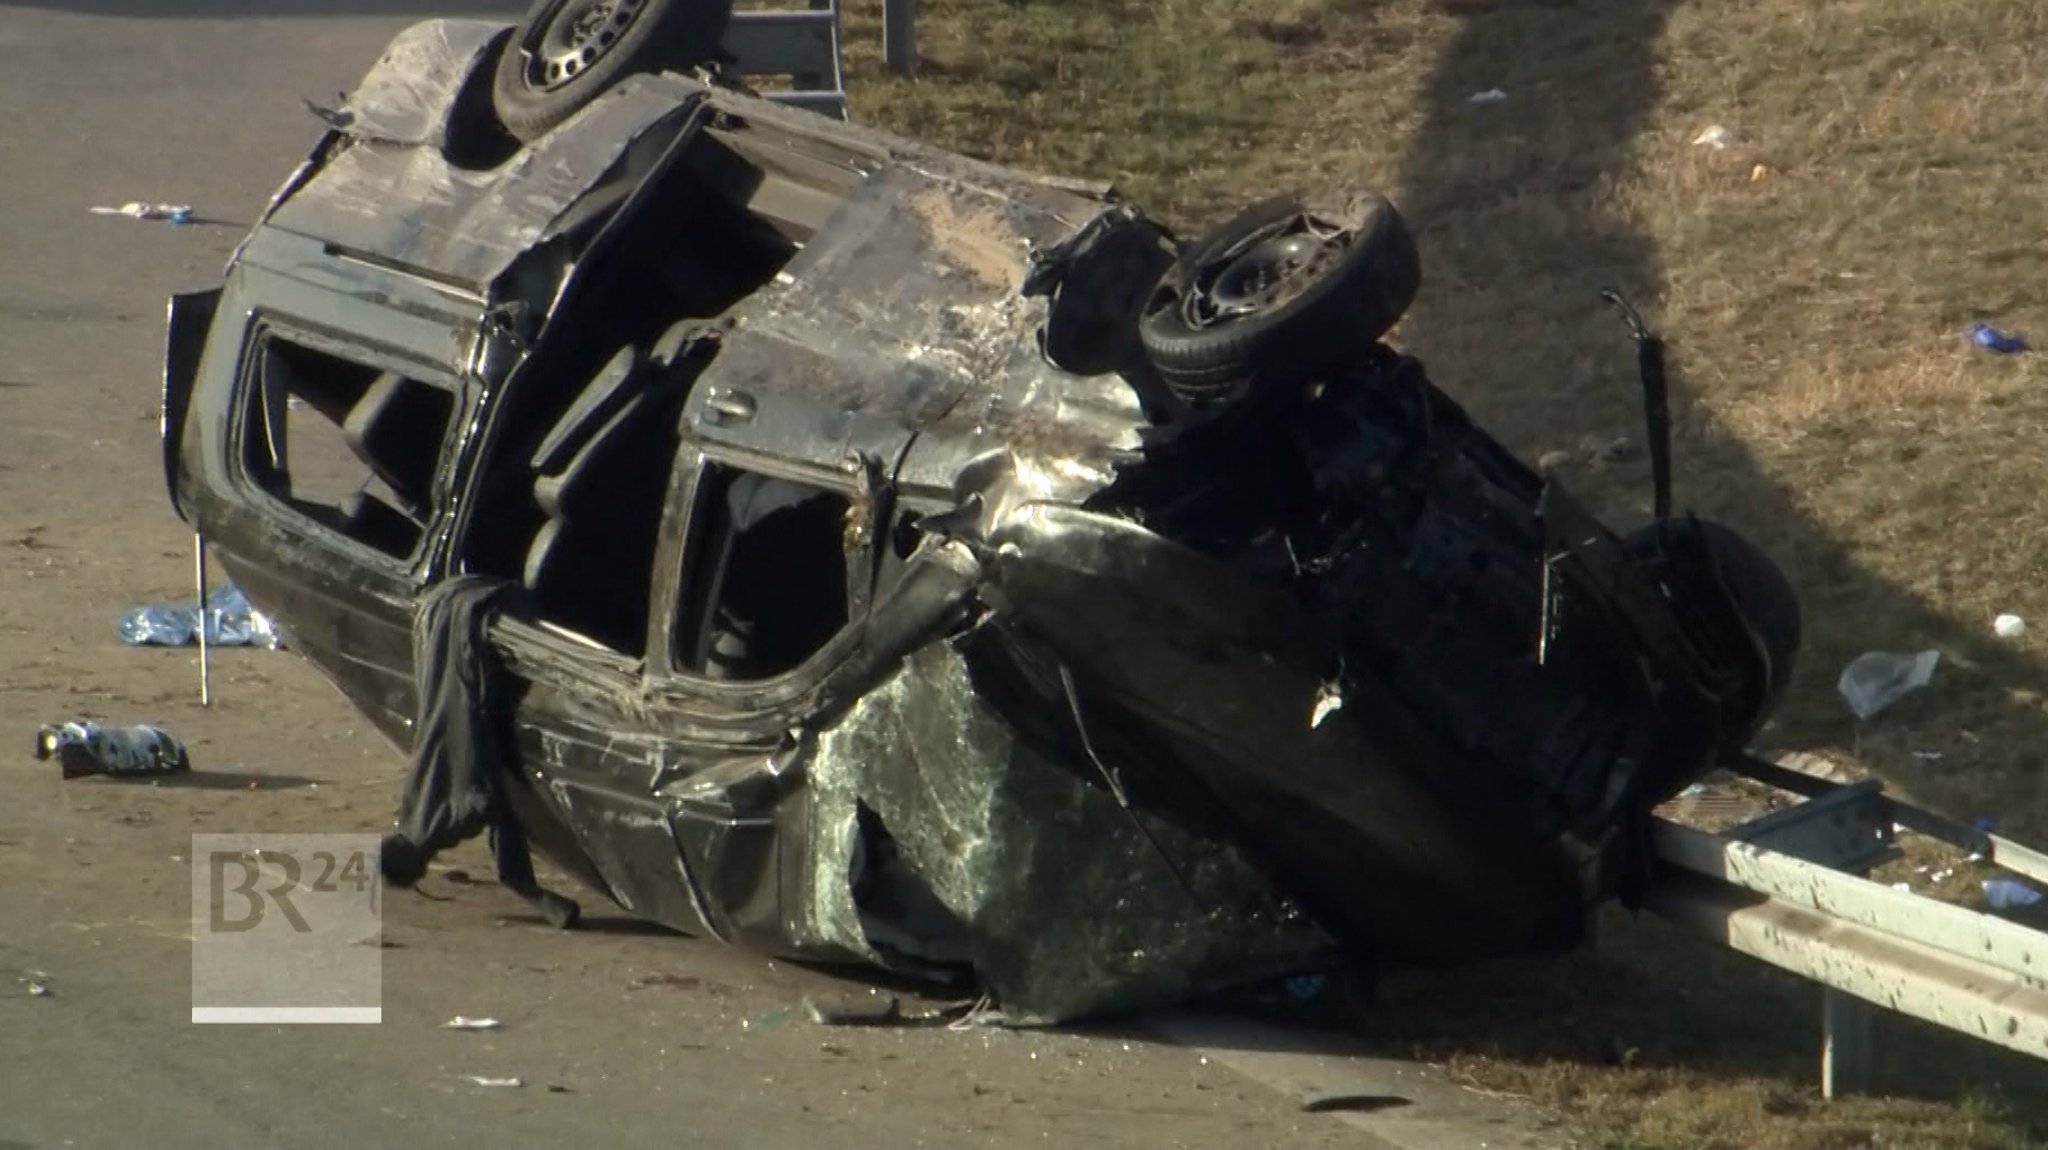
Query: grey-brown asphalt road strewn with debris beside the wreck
point(617, 1034)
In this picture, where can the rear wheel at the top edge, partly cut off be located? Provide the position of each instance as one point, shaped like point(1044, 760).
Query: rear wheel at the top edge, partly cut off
point(566, 52)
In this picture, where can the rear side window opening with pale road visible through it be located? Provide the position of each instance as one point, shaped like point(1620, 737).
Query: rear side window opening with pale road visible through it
point(347, 445)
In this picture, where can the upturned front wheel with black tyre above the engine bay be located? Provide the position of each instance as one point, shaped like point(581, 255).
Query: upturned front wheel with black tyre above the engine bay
point(1281, 294)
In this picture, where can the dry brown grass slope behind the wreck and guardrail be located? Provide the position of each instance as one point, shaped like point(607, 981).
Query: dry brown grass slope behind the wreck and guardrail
point(1816, 279)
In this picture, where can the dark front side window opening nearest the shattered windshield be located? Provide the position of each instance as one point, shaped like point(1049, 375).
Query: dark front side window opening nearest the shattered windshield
point(767, 576)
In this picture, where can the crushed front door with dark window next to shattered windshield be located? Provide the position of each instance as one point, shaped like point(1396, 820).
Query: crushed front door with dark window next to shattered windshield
point(769, 580)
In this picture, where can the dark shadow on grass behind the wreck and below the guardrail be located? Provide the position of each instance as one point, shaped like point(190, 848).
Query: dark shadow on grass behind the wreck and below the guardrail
point(1514, 208)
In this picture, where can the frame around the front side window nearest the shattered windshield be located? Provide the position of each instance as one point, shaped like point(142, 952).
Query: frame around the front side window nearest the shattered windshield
point(683, 576)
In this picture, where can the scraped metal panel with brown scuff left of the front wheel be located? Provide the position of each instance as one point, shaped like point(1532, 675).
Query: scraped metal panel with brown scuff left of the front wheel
point(906, 310)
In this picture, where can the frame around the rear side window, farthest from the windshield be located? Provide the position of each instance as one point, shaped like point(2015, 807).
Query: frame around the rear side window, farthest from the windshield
point(263, 328)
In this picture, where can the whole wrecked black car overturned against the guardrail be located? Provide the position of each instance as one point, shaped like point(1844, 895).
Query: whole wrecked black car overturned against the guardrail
point(861, 554)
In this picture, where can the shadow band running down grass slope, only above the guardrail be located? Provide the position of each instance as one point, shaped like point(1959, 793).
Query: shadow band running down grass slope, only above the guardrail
point(1514, 204)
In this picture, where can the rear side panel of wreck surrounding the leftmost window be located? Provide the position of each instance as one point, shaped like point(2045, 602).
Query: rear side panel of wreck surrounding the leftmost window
point(314, 466)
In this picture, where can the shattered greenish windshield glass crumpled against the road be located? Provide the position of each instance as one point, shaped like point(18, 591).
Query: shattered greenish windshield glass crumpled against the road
point(1068, 905)
